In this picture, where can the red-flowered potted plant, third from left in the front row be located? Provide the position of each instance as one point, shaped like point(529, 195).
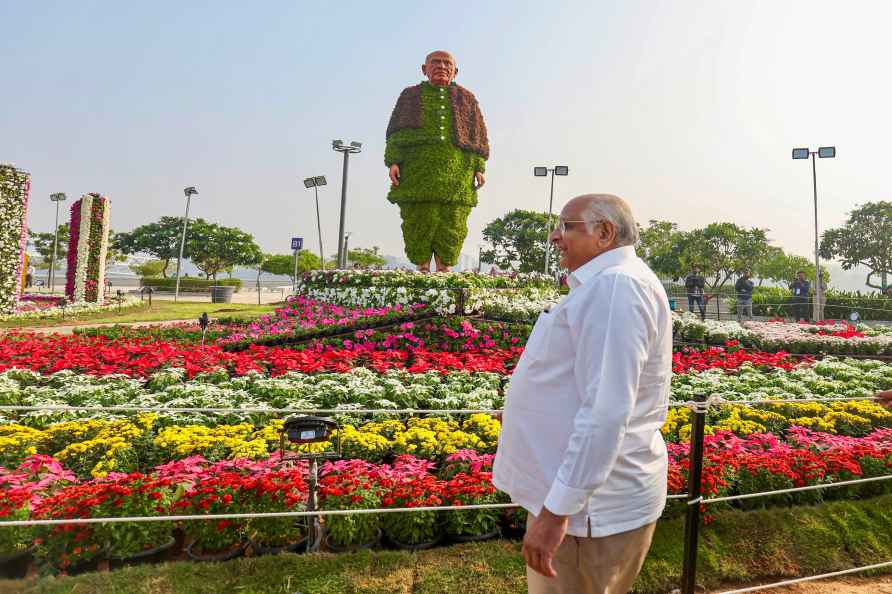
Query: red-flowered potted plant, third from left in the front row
point(138, 542)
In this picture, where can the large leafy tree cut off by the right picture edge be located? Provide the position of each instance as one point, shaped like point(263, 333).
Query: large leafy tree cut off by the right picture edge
point(865, 240)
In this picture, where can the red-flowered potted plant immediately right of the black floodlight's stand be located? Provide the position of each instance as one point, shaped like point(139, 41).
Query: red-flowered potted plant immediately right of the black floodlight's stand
point(351, 484)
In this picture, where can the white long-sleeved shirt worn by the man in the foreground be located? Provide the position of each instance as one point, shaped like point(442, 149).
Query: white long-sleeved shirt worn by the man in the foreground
point(581, 425)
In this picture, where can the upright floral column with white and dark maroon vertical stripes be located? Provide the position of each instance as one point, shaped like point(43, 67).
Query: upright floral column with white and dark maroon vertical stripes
point(87, 247)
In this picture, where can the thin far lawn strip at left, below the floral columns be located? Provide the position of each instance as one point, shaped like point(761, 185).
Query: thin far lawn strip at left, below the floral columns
point(159, 311)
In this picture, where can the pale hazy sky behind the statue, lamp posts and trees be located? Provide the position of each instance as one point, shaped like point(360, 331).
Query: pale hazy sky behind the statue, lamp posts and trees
point(687, 109)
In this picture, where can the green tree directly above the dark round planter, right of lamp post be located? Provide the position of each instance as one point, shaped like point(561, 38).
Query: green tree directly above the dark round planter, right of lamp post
point(214, 248)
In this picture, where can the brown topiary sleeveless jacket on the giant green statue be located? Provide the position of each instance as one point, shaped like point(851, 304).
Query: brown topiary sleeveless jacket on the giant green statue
point(467, 120)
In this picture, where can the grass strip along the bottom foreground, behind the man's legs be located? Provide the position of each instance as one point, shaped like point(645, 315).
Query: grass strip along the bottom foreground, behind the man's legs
point(736, 548)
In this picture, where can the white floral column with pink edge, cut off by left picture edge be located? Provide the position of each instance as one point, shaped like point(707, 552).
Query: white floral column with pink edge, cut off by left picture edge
point(15, 187)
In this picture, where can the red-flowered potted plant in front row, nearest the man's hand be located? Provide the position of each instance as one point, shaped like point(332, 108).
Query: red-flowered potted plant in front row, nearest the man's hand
point(474, 488)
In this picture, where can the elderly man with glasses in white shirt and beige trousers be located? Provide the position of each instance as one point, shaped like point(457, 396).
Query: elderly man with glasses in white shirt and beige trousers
point(581, 448)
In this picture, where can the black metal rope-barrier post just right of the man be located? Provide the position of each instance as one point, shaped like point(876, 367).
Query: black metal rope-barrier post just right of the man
point(692, 516)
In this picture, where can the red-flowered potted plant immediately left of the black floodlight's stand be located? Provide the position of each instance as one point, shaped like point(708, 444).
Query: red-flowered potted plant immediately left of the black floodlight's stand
point(283, 490)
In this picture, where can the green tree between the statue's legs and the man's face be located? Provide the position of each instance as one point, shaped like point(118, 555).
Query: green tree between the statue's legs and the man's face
point(518, 241)
